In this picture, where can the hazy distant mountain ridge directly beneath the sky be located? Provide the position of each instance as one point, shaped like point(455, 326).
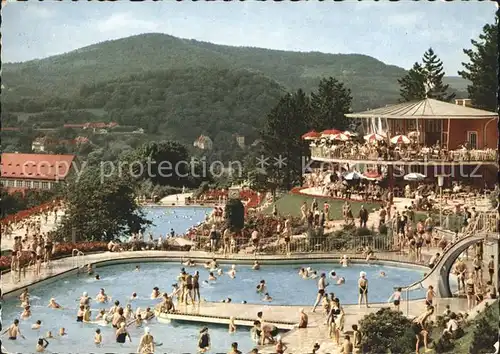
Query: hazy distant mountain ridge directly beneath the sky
point(372, 82)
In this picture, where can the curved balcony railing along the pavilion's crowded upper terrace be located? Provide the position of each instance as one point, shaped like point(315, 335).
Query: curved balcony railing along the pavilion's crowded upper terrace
point(423, 155)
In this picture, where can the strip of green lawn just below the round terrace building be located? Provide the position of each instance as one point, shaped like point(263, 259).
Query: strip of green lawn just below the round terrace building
point(290, 204)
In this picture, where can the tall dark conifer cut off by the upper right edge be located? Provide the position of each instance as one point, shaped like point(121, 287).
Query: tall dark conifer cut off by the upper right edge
point(482, 68)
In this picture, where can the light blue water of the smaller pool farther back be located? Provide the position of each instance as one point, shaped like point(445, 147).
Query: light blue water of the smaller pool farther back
point(178, 218)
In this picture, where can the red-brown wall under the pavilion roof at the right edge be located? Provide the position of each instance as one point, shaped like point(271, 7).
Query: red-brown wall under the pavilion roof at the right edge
point(460, 127)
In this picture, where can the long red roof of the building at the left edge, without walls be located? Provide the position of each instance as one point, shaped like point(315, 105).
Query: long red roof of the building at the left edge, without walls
point(36, 166)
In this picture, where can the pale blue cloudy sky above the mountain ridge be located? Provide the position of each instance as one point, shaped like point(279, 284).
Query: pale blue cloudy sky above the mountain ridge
point(395, 33)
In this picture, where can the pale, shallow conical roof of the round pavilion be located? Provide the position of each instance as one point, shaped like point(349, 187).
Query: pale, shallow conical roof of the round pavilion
point(425, 109)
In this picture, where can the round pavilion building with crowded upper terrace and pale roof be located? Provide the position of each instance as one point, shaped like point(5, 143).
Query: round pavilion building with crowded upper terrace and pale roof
point(437, 138)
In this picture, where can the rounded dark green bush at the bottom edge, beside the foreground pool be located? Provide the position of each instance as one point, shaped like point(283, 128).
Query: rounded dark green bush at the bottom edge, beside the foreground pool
point(387, 331)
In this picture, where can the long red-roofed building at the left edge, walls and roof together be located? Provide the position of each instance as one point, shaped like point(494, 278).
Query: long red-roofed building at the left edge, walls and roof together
point(34, 171)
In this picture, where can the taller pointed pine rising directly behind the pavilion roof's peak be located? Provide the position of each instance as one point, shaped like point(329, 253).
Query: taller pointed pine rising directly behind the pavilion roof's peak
point(434, 73)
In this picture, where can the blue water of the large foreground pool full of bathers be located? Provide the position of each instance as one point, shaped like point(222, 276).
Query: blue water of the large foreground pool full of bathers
point(120, 281)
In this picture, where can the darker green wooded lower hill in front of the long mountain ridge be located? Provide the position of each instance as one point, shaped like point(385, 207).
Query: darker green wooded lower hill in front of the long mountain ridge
point(176, 104)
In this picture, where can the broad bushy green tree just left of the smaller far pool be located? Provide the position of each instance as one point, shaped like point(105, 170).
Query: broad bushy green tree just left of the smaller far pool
point(100, 208)
